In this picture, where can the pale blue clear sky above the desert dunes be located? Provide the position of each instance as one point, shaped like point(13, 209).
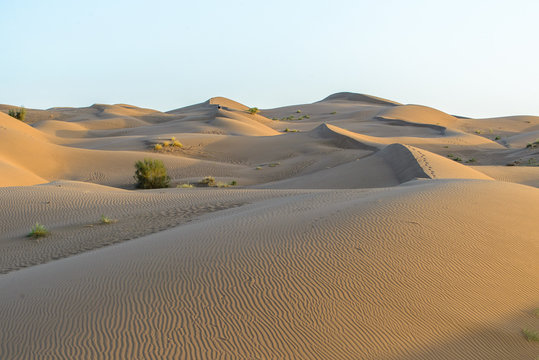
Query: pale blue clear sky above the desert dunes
point(472, 58)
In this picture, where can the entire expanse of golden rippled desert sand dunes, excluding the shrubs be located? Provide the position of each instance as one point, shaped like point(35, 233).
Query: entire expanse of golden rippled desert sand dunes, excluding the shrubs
point(368, 229)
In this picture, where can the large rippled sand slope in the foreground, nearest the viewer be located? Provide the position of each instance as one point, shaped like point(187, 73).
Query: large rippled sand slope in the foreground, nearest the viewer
point(379, 274)
